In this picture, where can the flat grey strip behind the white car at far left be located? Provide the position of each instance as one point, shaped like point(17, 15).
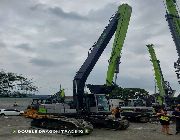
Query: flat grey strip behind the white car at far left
point(7, 103)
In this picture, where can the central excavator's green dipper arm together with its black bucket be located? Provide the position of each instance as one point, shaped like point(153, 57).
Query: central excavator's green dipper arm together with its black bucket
point(114, 61)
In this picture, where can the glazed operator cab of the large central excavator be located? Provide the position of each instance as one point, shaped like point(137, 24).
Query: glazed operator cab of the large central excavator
point(98, 103)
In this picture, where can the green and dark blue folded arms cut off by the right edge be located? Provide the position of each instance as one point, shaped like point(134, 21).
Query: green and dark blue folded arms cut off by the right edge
point(173, 18)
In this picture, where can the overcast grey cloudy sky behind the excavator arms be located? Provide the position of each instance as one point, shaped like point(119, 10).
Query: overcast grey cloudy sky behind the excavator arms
point(48, 41)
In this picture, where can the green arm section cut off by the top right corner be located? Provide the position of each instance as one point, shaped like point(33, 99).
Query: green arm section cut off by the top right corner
point(172, 10)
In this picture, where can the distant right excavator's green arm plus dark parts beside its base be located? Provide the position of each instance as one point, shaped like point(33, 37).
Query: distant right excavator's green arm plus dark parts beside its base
point(165, 90)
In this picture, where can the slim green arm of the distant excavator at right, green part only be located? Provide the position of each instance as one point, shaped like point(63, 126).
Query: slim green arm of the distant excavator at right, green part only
point(158, 74)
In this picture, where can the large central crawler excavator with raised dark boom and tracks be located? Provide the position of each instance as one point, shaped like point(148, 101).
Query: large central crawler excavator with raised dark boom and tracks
point(89, 109)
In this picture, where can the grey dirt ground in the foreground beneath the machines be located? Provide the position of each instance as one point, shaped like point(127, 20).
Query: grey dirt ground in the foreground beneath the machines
point(136, 131)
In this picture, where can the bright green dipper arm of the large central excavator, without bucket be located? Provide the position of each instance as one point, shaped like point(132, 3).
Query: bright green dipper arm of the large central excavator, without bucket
point(123, 22)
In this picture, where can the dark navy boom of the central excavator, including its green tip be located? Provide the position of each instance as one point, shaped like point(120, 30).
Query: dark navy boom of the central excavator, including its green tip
point(93, 56)
